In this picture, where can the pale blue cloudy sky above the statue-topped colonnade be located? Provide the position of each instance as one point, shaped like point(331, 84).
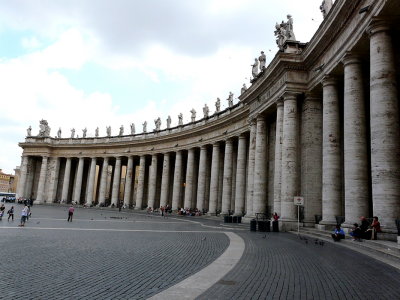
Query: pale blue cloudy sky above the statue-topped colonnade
point(98, 63)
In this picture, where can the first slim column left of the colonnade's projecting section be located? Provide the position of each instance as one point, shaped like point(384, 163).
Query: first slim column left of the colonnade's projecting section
point(240, 189)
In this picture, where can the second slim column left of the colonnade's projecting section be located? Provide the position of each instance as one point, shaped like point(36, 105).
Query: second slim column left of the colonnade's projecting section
point(227, 180)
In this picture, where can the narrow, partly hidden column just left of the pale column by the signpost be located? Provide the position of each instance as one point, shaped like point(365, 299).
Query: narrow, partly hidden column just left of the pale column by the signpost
point(278, 157)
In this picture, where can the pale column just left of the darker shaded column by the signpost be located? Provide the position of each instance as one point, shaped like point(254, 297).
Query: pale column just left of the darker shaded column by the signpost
point(289, 187)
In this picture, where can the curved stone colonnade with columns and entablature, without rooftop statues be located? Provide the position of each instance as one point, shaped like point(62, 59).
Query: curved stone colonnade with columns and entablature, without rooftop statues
point(320, 122)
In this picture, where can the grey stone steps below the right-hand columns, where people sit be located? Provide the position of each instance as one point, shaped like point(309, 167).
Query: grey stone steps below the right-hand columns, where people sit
point(385, 251)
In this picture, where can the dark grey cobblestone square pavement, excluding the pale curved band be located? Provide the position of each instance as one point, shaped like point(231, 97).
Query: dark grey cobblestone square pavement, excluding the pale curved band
point(80, 260)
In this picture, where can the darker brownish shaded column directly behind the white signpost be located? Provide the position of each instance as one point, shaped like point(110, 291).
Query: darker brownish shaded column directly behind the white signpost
point(311, 156)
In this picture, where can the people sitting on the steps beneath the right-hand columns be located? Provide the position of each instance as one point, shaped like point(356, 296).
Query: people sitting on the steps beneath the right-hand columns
point(365, 231)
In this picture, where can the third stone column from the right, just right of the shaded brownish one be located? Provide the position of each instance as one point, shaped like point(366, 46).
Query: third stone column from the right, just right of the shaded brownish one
point(331, 153)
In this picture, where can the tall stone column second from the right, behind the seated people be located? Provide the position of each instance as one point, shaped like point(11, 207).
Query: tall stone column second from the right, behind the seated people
point(356, 192)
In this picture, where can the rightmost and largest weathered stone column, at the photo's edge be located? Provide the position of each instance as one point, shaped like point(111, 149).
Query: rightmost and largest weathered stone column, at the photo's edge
point(385, 128)
